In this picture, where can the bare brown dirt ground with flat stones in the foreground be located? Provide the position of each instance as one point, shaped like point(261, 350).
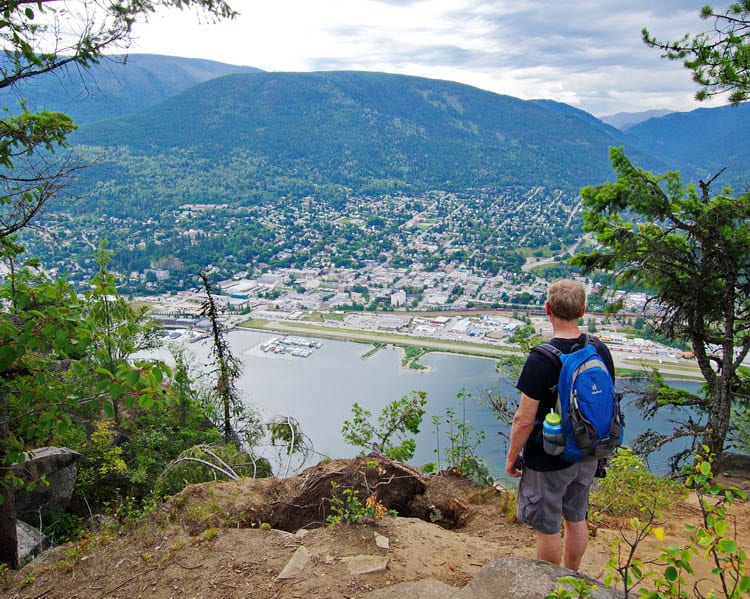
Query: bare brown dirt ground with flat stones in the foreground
point(208, 542)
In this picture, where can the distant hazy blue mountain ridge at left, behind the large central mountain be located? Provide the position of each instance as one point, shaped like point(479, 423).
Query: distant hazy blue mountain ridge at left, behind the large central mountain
point(116, 86)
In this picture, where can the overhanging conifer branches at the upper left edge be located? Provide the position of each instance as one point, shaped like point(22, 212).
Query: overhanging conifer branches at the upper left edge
point(41, 36)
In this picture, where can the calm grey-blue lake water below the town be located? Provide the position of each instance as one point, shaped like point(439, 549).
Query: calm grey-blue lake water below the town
point(318, 391)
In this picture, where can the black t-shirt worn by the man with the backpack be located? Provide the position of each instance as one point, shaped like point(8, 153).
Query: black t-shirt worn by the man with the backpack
point(538, 377)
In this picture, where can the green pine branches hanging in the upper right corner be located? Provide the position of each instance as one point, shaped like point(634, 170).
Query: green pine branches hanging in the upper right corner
point(719, 57)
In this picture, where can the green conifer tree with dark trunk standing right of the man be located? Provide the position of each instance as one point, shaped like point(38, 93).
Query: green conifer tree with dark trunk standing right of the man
point(692, 249)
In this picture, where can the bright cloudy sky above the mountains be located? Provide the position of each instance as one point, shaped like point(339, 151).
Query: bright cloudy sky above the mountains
point(587, 53)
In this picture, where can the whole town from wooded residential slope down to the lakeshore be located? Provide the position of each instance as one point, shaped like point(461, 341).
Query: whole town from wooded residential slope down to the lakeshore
point(468, 268)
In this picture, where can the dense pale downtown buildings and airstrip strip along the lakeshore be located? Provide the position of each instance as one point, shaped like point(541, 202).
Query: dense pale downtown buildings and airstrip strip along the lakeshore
point(329, 304)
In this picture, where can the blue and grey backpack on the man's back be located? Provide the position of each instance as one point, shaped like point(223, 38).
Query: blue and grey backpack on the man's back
point(589, 406)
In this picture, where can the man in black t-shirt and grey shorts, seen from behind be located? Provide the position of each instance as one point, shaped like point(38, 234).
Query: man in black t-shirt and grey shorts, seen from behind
point(552, 490)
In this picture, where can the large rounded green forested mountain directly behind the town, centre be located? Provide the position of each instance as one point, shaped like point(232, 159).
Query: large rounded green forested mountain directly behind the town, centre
point(363, 131)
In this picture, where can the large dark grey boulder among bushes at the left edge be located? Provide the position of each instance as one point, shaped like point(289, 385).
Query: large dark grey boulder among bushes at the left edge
point(59, 466)
